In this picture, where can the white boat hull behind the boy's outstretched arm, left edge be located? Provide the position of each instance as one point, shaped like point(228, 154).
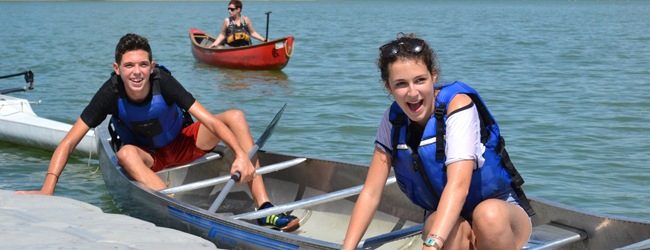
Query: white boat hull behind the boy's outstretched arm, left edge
point(20, 125)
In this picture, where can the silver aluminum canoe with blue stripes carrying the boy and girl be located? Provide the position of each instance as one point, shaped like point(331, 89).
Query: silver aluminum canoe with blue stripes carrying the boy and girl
point(323, 193)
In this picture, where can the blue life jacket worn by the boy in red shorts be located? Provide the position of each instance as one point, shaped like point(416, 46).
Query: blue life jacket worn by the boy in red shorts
point(153, 124)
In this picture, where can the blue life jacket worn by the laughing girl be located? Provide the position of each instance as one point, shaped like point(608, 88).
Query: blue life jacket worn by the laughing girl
point(421, 173)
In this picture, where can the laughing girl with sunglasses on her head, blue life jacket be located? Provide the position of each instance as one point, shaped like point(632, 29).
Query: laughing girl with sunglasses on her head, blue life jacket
point(448, 158)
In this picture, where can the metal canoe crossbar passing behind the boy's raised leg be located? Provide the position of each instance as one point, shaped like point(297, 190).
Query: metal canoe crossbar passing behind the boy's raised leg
point(226, 178)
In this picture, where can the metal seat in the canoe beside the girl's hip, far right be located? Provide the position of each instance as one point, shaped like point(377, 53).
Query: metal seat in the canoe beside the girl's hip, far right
point(554, 236)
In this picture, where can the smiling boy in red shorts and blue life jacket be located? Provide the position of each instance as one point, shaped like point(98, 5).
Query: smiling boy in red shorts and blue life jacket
point(149, 109)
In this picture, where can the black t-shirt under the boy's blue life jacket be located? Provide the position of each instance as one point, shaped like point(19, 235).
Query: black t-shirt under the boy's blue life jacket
point(105, 100)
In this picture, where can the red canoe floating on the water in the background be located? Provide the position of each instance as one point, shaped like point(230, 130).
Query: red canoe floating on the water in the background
point(272, 55)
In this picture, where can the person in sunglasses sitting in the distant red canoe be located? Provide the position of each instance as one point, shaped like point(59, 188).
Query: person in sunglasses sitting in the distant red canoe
point(236, 29)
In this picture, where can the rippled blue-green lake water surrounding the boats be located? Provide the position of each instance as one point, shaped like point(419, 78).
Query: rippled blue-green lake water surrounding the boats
point(567, 81)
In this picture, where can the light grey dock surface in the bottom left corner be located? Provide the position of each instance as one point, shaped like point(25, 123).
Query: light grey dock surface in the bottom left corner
point(51, 222)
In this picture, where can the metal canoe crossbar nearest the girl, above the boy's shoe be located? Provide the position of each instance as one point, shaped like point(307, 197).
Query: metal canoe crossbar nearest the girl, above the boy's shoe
point(312, 201)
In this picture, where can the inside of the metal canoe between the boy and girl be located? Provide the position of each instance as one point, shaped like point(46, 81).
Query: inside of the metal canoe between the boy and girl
point(324, 222)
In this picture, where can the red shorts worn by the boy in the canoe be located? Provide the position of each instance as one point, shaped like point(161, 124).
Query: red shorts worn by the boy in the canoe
point(180, 151)
